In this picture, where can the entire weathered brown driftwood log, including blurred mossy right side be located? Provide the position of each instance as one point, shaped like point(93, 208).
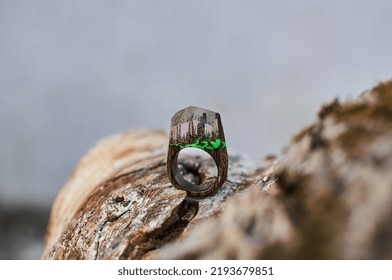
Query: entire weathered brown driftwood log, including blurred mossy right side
point(328, 196)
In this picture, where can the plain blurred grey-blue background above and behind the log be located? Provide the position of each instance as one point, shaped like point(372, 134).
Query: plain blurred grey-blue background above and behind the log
point(72, 72)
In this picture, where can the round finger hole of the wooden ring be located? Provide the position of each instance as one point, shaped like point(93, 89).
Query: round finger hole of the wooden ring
point(196, 166)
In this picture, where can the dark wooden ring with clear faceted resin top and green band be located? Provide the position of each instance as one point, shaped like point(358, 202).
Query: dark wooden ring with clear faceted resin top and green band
point(194, 127)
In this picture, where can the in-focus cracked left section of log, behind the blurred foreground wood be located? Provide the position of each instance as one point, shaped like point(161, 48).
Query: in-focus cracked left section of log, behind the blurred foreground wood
point(136, 210)
